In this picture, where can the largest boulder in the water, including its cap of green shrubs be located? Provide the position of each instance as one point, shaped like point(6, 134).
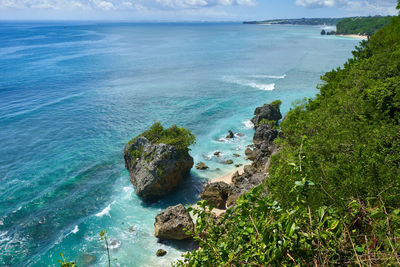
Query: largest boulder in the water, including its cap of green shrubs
point(158, 160)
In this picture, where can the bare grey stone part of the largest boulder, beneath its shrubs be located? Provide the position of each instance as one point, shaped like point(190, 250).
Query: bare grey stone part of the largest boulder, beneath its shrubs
point(155, 169)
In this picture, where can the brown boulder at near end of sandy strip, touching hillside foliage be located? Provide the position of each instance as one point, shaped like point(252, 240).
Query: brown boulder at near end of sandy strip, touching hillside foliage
point(216, 194)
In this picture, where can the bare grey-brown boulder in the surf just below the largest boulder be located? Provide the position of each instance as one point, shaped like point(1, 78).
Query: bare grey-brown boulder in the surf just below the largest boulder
point(173, 223)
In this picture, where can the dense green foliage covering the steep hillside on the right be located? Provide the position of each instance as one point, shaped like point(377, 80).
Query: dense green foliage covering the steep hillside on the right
point(334, 188)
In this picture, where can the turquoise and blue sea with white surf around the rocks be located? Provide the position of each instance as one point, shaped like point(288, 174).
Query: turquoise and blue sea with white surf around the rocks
point(71, 96)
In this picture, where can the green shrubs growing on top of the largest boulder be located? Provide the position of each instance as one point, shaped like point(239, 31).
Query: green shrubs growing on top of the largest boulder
point(174, 135)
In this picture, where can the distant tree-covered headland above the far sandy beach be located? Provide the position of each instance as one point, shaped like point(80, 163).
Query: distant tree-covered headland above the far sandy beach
point(362, 25)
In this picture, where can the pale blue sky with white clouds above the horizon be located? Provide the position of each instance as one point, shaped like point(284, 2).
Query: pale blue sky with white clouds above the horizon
point(189, 10)
